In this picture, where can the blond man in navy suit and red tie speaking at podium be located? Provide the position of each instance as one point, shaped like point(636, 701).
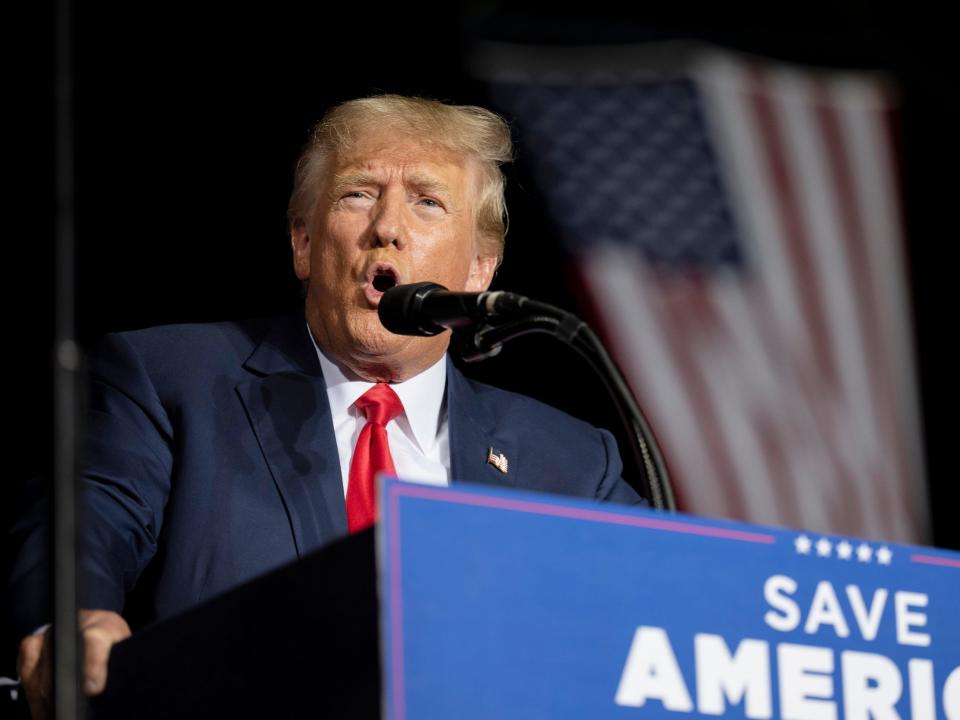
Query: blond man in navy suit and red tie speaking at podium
point(218, 452)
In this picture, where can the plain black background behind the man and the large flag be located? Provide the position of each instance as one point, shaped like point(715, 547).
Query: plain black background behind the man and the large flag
point(188, 119)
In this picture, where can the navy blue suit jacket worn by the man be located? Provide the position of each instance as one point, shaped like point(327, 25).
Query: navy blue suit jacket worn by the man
point(211, 458)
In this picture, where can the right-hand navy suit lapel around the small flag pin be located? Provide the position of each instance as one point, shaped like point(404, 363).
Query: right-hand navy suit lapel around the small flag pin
point(472, 428)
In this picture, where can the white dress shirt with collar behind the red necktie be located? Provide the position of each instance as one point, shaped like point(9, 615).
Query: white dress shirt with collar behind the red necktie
point(418, 437)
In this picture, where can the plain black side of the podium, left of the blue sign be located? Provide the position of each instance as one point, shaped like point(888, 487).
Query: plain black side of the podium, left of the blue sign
point(299, 642)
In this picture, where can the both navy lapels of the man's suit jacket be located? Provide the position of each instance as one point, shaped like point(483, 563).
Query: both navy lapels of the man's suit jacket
point(286, 401)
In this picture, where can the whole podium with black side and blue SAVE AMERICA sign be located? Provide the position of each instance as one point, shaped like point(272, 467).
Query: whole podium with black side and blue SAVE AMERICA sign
point(472, 602)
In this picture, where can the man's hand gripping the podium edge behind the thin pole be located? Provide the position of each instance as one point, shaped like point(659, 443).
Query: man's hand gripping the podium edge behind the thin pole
point(100, 629)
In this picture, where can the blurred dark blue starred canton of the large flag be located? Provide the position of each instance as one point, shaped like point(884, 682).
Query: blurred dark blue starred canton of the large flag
point(628, 164)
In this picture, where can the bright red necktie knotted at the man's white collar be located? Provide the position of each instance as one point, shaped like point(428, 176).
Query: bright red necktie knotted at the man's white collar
point(380, 405)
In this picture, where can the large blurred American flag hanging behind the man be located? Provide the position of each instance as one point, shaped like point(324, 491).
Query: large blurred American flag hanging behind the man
point(736, 225)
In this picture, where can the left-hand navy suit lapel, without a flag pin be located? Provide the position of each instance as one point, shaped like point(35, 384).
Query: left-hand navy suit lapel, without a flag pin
point(286, 402)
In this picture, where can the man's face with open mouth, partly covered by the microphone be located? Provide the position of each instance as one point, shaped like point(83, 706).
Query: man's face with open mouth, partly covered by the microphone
point(391, 210)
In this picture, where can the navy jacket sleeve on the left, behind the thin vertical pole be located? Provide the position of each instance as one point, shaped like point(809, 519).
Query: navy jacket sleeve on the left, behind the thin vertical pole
point(125, 481)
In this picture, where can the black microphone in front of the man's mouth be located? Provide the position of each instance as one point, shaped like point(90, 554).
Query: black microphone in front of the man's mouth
point(427, 309)
